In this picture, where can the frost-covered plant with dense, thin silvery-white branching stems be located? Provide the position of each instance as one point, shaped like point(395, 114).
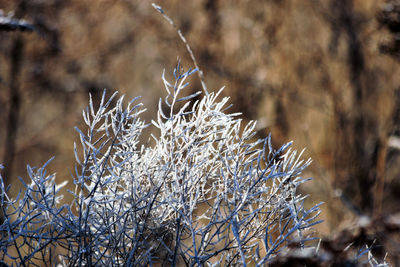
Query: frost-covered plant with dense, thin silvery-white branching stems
point(205, 193)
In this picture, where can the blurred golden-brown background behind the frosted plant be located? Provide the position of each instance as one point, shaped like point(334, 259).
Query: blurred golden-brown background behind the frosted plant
point(324, 73)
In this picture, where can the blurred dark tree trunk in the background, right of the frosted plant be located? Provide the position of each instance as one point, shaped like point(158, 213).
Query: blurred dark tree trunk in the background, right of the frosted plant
point(357, 146)
